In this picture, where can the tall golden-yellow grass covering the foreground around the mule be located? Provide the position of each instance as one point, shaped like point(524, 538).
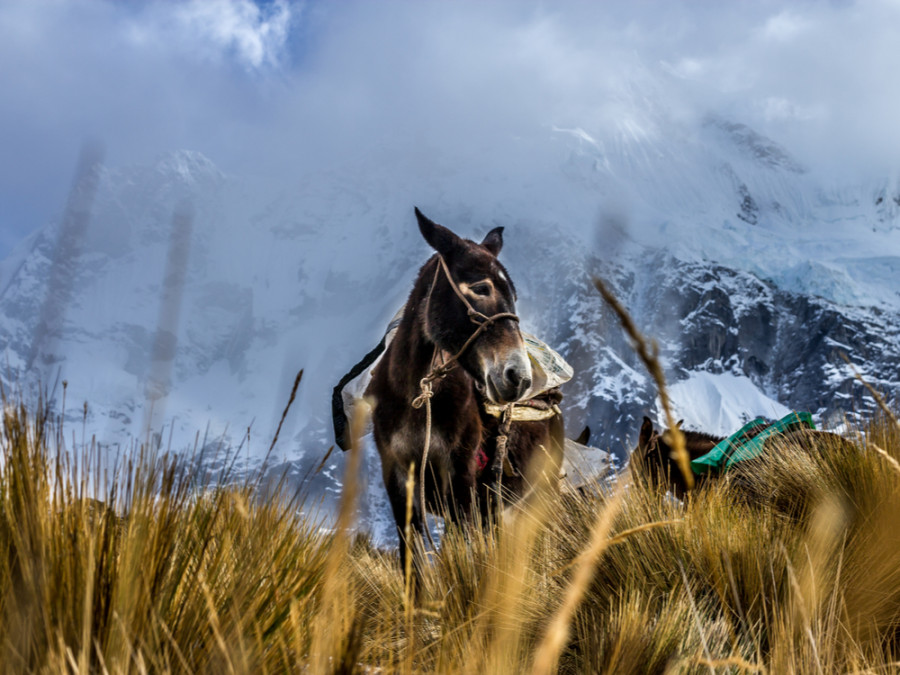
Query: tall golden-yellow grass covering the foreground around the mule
point(793, 568)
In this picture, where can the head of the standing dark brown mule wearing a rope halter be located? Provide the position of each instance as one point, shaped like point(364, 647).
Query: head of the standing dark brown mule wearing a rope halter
point(497, 359)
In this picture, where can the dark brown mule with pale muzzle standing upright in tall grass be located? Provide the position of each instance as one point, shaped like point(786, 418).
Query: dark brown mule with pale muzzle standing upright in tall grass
point(458, 344)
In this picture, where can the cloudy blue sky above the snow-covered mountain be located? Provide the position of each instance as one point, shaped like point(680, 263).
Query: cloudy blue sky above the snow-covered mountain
point(283, 87)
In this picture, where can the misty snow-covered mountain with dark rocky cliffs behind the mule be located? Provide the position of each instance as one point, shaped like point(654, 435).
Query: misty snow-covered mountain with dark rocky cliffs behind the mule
point(184, 300)
